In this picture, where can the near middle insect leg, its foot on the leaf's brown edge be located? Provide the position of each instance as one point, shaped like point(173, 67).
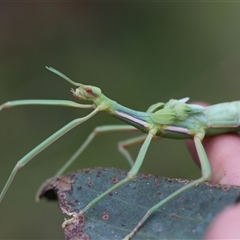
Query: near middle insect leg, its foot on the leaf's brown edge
point(131, 175)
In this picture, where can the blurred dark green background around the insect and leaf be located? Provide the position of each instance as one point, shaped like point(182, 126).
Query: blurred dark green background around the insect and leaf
point(137, 53)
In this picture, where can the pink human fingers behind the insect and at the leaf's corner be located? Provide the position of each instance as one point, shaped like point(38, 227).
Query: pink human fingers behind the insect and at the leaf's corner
point(223, 152)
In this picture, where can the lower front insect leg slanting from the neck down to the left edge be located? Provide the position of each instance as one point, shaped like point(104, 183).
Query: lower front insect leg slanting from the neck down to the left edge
point(42, 146)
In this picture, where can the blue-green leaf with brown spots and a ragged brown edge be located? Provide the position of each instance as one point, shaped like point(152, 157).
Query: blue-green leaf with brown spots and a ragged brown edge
point(185, 217)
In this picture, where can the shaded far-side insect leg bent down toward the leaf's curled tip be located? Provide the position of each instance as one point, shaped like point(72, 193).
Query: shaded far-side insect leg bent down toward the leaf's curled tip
point(95, 132)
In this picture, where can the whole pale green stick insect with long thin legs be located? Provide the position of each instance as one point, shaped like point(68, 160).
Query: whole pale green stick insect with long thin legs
point(175, 119)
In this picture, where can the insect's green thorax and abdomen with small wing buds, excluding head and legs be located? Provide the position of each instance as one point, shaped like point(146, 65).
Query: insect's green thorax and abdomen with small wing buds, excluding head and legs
point(209, 120)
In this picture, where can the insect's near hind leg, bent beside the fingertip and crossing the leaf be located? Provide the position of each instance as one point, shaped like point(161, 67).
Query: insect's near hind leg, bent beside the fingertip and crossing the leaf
point(206, 174)
